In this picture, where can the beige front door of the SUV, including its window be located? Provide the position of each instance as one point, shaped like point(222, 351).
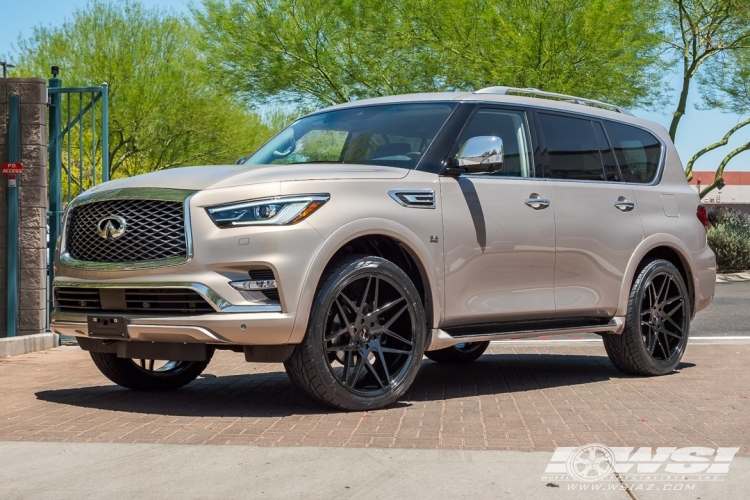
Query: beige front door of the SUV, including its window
point(499, 232)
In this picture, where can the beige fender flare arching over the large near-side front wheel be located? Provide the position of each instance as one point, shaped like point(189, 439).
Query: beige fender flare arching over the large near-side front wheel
point(383, 238)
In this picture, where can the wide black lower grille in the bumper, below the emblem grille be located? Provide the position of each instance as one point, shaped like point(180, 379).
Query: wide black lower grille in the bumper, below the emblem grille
point(143, 300)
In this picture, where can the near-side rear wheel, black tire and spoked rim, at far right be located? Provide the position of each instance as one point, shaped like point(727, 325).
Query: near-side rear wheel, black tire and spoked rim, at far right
point(657, 325)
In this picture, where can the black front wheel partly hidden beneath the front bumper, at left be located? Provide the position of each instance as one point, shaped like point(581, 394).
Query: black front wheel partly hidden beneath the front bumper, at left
point(140, 375)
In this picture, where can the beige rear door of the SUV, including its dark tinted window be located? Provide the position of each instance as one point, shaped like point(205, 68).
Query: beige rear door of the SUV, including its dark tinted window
point(597, 224)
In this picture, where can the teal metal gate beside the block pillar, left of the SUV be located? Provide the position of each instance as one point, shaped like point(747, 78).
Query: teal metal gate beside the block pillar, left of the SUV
point(78, 150)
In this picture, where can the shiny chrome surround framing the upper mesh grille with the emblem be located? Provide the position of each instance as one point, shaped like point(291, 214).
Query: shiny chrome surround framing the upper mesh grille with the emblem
point(161, 194)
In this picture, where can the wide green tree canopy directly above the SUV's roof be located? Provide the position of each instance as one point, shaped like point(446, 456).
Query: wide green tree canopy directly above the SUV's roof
point(331, 51)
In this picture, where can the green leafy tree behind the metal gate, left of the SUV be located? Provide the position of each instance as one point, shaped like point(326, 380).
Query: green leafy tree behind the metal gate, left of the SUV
point(164, 111)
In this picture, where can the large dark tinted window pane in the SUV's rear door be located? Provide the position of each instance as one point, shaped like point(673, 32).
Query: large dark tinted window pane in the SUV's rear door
point(571, 148)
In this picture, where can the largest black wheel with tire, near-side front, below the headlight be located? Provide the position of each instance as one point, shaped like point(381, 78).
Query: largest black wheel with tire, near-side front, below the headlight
point(374, 364)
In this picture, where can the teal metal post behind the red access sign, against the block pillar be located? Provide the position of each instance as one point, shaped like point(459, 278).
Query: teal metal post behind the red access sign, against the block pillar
point(14, 156)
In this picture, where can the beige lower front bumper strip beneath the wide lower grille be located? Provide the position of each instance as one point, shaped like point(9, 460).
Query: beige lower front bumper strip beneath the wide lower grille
point(255, 328)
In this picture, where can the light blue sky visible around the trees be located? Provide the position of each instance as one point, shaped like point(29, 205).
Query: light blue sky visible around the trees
point(697, 128)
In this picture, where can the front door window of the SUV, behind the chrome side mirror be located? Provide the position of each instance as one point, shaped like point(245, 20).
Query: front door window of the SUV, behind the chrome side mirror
point(510, 126)
